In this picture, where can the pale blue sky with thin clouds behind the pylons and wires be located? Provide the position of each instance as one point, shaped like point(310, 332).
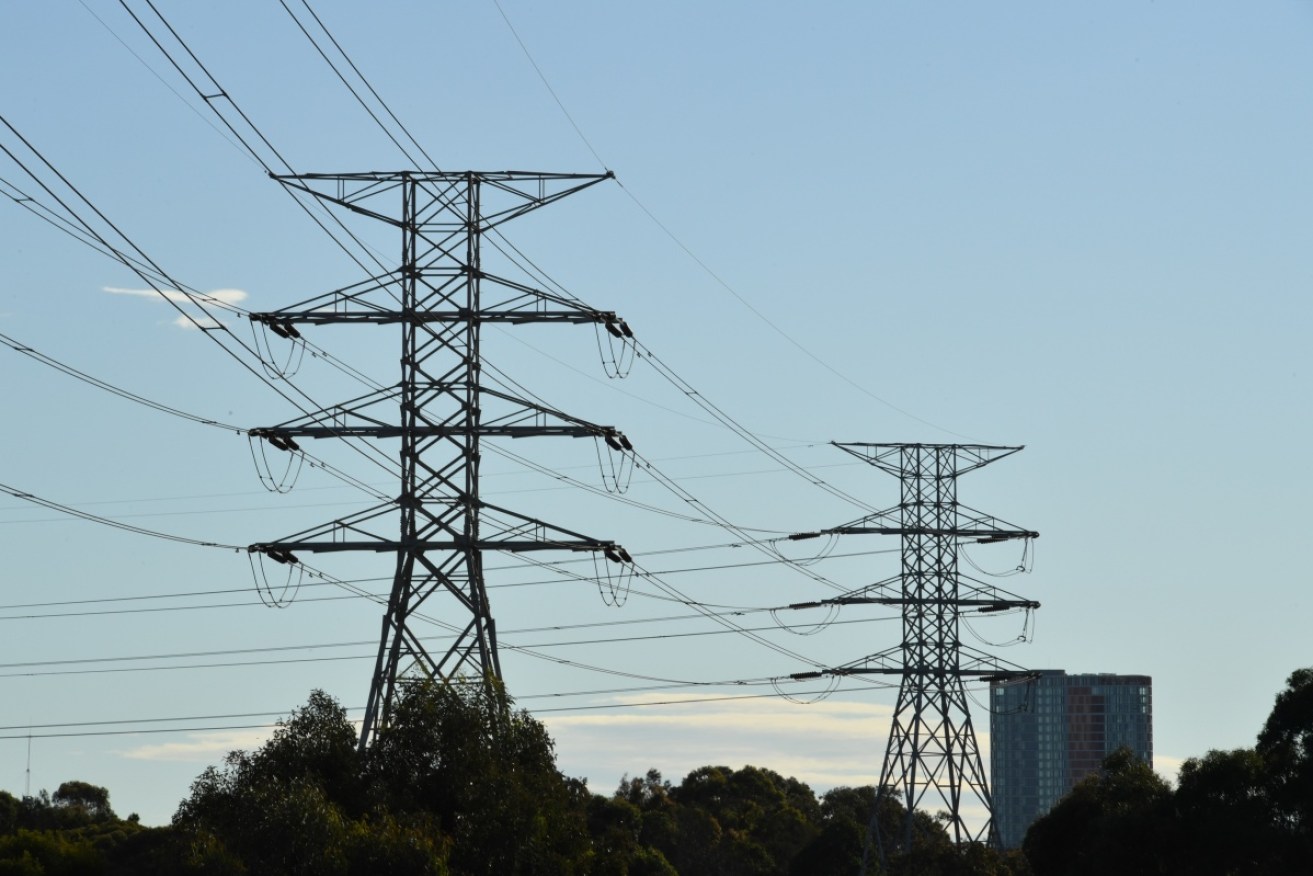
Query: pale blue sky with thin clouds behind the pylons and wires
point(1077, 228)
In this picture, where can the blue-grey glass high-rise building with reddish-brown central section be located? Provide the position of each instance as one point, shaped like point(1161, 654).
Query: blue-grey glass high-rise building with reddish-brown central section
point(1050, 735)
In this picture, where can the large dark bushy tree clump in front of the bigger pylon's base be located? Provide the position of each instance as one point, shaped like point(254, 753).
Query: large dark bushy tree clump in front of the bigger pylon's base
point(456, 782)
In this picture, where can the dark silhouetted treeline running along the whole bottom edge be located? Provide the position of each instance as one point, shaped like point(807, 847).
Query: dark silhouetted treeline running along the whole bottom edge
point(463, 783)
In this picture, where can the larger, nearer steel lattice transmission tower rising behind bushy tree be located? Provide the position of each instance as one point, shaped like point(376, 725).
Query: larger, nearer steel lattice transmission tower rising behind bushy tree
point(438, 529)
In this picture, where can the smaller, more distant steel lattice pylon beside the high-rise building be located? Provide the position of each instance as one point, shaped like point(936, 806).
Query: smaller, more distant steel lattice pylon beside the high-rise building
point(933, 758)
